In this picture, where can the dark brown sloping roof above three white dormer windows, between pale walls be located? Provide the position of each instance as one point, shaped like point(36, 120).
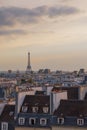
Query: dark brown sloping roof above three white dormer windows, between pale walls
point(36, 101)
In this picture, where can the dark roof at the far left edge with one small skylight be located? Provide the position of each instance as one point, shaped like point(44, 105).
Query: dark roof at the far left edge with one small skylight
point(8, 113)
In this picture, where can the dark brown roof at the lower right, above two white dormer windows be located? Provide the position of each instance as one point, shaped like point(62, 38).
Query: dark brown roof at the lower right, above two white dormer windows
point(72, 108)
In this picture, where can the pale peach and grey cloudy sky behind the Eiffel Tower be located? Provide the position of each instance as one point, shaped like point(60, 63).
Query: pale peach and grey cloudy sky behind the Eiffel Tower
point(53, 31)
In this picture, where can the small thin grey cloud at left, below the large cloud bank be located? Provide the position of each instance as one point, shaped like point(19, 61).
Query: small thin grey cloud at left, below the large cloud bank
point(12, 32)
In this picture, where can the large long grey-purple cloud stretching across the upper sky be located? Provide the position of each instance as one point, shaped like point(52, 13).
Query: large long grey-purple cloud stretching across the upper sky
point(14, 15)
